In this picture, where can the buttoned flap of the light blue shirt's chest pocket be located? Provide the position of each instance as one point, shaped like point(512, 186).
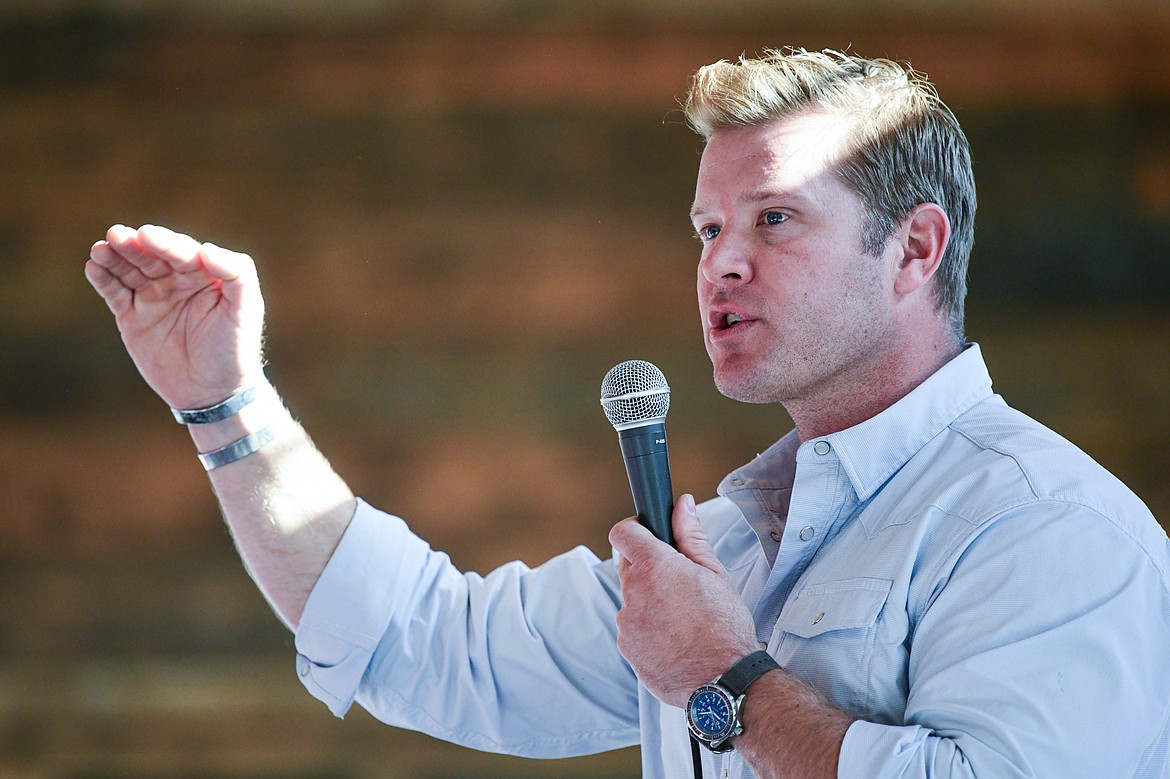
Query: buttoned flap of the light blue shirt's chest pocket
point(835, 606)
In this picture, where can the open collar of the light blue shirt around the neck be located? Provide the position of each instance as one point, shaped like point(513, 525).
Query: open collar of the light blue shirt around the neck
point(872, 452)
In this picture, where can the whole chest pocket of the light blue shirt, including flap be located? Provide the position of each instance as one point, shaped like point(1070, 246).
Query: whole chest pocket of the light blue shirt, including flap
point(827, 636)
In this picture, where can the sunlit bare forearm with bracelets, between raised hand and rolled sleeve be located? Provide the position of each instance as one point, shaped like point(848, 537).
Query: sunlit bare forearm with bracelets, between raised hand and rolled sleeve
point(285, 506)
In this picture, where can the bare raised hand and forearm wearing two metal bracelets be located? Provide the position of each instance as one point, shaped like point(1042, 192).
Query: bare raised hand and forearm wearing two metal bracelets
point(191, 316)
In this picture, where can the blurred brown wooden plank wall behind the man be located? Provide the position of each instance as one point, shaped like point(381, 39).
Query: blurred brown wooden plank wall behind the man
point(464, 215)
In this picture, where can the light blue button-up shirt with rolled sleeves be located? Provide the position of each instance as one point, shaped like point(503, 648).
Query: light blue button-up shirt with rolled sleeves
point(983, 597)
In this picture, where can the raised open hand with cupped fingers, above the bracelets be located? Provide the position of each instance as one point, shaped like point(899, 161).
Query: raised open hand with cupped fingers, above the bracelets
point(191, 314)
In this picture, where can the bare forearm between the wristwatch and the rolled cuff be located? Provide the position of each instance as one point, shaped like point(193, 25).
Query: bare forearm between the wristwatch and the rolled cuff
point(790, 732)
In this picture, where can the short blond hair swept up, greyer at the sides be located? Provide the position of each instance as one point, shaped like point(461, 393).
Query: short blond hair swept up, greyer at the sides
point(905, 147)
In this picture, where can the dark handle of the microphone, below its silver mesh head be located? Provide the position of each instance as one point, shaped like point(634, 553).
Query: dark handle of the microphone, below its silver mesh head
point(649, 468)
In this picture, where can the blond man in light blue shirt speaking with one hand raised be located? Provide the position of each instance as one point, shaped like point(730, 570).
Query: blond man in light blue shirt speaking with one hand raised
point(918, 581)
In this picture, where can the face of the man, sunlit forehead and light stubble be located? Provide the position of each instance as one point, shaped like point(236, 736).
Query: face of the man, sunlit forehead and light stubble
point(794, 309)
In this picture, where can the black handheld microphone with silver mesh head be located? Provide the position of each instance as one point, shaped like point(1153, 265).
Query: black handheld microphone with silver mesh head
point(636, 398)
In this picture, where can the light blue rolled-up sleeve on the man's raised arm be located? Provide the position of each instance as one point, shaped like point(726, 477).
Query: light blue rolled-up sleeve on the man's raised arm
point(522, 661)
